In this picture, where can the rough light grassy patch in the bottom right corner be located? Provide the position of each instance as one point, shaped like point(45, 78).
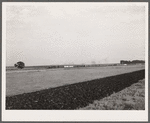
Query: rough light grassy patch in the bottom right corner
point(131, 98)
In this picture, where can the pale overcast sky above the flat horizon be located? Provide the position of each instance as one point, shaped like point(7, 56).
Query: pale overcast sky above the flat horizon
point(64, 33)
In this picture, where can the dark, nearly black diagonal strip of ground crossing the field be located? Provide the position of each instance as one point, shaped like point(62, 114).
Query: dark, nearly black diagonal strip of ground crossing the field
point(75, 95)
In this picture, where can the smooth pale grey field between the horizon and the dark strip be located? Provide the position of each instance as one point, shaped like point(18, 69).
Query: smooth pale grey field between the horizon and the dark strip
point(24, 81)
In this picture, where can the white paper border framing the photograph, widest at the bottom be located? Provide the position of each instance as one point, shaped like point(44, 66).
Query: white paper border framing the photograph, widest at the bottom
point(71, 115)
